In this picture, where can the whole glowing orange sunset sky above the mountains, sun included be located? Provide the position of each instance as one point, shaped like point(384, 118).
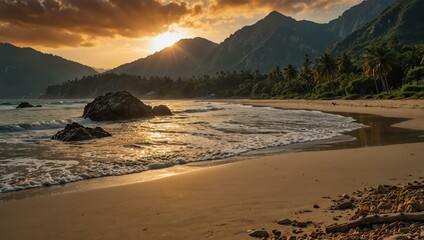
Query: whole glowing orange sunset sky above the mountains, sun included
point(108, 33)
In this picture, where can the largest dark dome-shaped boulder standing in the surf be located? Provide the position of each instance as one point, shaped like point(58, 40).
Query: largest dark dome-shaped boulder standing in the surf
point(116, 106)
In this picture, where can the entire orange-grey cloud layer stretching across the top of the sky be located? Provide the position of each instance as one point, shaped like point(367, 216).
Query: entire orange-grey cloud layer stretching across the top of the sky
point(76, 23)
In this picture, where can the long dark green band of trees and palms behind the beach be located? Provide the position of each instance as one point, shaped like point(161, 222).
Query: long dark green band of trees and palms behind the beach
point(391, 70)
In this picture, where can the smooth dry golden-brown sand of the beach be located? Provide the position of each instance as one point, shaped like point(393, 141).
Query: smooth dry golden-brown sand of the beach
point(224, 202)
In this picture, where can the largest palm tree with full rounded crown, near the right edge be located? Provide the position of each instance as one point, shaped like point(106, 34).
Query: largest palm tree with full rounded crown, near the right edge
point(378, 62)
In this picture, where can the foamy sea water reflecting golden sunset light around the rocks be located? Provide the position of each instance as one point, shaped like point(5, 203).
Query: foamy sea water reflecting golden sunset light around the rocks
point(198, 131)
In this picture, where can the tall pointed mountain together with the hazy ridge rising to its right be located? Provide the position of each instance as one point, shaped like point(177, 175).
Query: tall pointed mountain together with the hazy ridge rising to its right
point(278, 39)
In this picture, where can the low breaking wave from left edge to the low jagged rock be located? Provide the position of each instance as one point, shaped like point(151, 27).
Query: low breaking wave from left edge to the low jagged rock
point(42, 125)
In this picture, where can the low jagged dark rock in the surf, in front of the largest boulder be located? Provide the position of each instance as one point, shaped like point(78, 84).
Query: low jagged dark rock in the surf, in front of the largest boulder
point(77, 132)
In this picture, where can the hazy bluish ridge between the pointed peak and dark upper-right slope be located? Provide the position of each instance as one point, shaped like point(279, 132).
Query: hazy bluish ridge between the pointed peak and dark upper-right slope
point(358, 16)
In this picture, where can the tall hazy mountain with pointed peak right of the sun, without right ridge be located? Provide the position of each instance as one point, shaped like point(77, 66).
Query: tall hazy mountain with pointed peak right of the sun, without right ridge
point(276, 39)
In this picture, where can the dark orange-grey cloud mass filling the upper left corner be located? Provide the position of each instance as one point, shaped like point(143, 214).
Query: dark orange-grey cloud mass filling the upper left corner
point(57, 23)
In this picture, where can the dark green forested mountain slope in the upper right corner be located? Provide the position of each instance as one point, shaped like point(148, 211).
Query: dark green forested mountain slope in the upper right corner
point(404, 20)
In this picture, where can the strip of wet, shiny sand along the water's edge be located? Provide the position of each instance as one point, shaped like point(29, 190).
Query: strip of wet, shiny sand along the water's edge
point(381, 129)
